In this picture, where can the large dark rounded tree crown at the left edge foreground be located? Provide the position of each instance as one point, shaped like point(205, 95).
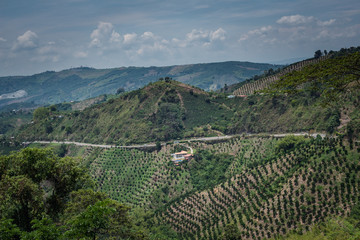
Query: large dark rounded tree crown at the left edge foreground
point(35, 181)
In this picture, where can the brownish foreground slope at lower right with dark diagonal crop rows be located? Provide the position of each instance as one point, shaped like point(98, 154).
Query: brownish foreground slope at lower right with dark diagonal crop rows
point(288, 193)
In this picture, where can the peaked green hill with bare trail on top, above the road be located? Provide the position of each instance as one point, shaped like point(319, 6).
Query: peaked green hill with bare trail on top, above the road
point(161, 111)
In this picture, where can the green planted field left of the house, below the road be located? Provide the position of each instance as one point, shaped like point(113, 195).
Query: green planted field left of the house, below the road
point(128, 175)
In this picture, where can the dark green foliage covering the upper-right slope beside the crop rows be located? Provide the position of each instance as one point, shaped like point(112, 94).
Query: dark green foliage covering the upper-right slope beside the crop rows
point(330, 78)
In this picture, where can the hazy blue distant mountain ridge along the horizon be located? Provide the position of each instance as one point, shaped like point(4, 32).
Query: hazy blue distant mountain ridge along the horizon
point(81, 83)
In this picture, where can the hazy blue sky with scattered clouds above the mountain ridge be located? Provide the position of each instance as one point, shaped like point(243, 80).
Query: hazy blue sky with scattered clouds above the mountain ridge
point(42, 35)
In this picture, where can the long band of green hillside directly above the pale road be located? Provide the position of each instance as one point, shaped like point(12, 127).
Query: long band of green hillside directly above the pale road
point(170, 110)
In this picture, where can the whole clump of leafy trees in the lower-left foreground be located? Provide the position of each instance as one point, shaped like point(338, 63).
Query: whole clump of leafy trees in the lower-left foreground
point(43, 196)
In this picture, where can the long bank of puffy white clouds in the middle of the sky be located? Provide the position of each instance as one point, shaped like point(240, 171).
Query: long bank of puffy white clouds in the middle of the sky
point(147, 45)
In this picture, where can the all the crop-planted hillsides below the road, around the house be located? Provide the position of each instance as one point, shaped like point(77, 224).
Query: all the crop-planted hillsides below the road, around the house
point(263, 194)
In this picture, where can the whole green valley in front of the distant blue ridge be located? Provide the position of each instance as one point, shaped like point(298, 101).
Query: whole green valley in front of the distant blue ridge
point(274, 157)
